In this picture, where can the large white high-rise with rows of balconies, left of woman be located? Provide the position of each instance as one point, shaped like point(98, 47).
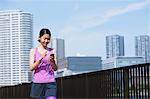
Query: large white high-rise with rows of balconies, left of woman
point(15, 44)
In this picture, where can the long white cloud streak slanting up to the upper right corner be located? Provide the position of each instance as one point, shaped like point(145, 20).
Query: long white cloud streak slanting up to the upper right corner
point(92, 21)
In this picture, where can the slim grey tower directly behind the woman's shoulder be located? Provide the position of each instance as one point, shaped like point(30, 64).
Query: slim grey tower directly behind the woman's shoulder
point(59, 45)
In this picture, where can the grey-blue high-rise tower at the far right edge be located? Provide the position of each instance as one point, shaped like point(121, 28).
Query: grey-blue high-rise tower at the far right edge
point(142, 47)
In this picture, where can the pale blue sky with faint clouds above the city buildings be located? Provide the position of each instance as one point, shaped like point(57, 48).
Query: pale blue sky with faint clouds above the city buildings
point(84, 24)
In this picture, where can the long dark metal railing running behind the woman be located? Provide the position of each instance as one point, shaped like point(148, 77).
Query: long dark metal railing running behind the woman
point(131, 82)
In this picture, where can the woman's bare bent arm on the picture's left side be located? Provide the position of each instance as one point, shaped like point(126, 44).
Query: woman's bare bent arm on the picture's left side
point(34, 65)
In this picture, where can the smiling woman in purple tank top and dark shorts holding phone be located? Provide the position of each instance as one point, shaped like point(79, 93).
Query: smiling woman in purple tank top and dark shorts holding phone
point(42, 62)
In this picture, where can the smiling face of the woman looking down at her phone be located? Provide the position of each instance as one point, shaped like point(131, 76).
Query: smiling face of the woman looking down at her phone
point(45, 39)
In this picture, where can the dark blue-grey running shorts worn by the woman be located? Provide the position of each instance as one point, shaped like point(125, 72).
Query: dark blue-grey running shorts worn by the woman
point(43, 89)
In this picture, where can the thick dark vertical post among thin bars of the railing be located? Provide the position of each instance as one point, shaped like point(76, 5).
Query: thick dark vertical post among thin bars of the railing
point(126, 83)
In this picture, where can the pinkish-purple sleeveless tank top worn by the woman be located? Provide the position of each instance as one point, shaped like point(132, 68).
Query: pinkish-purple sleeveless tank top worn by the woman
point(44, 72)
